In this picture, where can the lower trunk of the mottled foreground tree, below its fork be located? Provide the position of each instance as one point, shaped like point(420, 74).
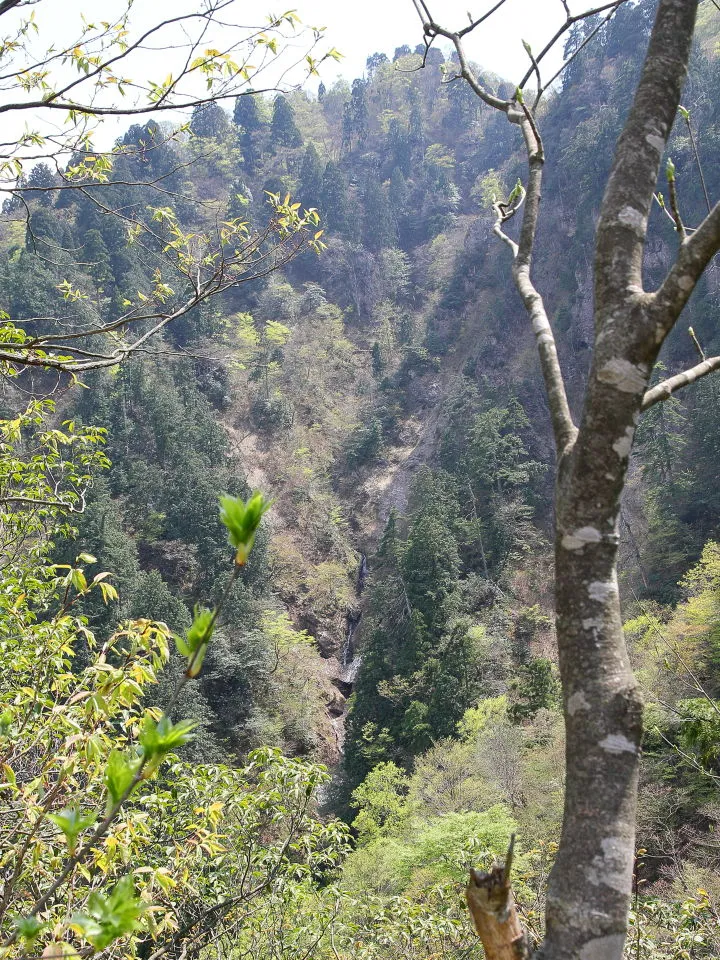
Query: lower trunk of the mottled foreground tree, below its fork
point(590, 885)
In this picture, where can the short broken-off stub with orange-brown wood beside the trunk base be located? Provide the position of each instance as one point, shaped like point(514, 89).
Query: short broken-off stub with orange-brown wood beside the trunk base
point(492, 908)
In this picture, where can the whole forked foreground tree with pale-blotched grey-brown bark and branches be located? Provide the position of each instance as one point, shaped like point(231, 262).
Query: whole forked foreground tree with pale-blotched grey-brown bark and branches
point(590, 884)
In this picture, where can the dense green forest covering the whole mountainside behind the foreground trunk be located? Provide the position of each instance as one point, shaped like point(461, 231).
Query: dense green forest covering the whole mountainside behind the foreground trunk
point(379, 706)
